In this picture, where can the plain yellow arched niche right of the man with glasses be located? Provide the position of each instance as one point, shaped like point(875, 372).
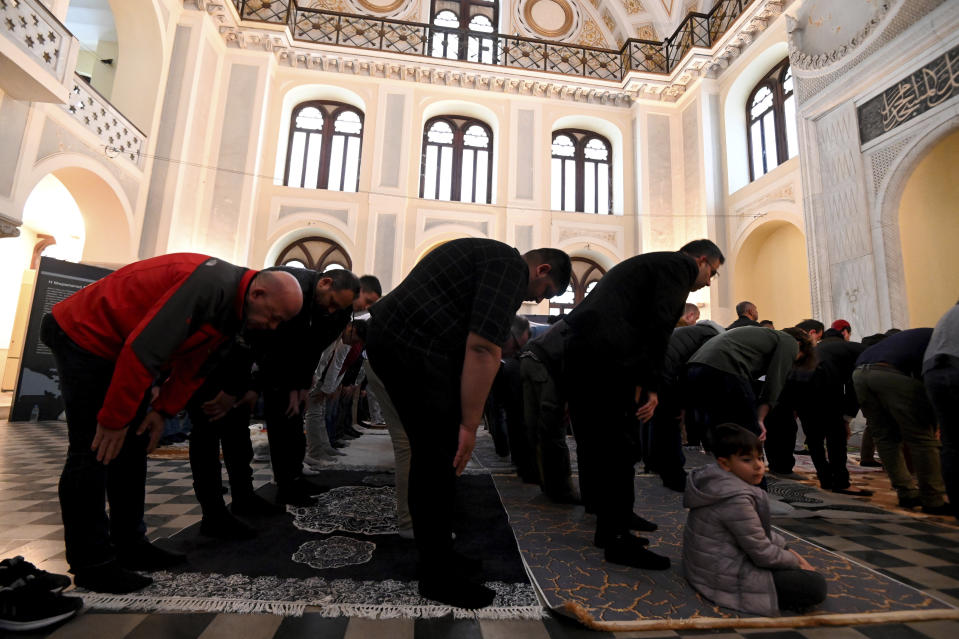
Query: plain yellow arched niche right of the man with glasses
point(772, 271)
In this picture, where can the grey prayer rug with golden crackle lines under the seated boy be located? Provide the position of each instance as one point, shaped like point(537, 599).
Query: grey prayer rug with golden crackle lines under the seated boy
point(574, 580)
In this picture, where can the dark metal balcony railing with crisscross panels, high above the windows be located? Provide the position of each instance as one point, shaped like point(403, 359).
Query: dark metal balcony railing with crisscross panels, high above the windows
point(415, 38)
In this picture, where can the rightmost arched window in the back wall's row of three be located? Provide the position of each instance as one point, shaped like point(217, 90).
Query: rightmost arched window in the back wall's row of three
point(580, 175)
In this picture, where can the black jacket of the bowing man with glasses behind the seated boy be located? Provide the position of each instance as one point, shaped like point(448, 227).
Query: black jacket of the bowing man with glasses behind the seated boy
point(626, 321)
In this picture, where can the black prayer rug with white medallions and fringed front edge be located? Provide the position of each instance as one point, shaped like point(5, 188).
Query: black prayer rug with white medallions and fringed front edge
point(340, 557)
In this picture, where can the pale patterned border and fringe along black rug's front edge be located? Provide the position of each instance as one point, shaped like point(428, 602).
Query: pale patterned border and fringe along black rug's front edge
point(296, 609)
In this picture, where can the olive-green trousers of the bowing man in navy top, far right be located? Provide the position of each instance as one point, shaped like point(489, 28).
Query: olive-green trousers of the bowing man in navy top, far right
point(898, 412)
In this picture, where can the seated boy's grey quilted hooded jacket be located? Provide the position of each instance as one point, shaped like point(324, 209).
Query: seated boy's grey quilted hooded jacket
point(728, 547)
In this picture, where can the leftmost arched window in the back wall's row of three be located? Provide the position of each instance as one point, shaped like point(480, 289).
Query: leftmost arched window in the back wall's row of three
point(324, 147)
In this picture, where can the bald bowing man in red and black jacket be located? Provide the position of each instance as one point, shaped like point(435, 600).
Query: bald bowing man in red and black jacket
point(155, 323)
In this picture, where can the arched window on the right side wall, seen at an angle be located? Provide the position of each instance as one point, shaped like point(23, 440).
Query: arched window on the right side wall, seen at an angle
point(771, 121)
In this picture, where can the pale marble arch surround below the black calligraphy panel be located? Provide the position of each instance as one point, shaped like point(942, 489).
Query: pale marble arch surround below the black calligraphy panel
point(885, 220)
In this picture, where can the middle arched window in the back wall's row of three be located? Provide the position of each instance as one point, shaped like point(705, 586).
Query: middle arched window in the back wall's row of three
point(457, 160)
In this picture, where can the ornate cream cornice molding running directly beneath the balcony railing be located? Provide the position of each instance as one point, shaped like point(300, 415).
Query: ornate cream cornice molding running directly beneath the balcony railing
point(636, 86)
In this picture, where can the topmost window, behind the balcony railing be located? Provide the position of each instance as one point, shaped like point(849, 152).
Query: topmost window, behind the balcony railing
point(464, 30)
